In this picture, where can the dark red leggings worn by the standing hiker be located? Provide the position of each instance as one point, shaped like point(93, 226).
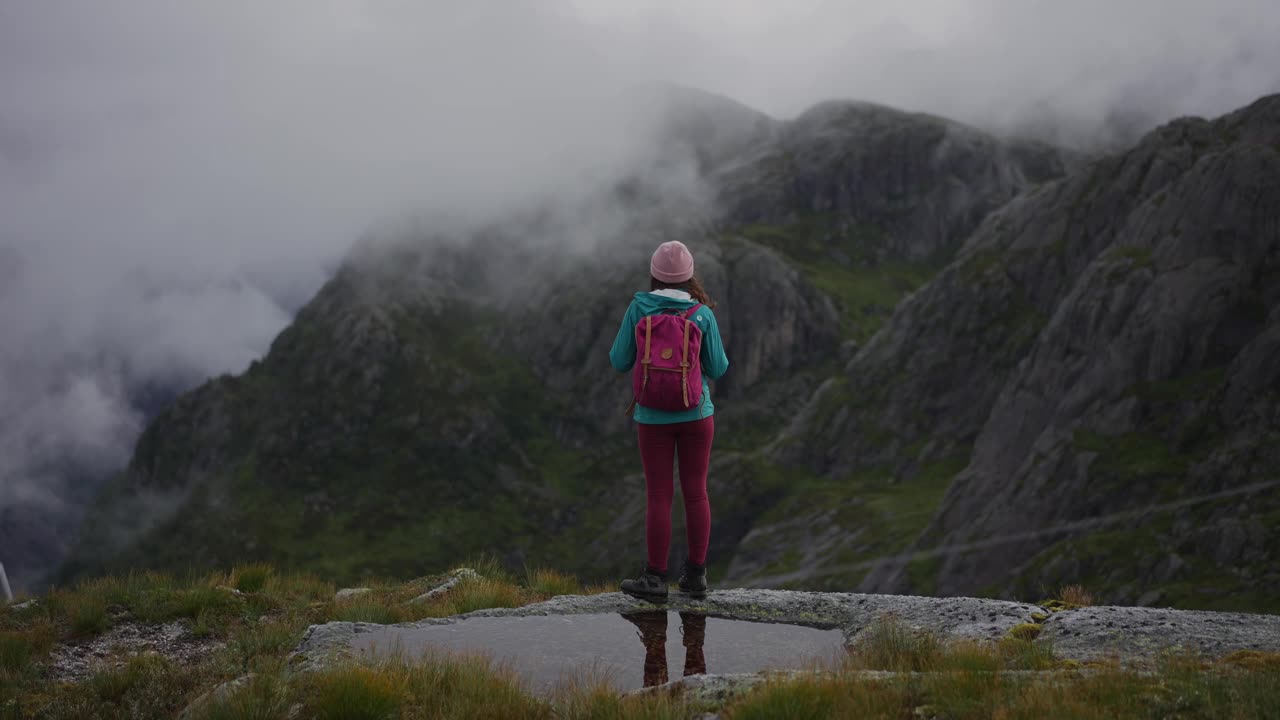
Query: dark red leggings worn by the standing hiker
point(660, 445)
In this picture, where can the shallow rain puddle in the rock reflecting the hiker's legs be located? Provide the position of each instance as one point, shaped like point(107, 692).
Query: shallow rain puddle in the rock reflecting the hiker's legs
point(632, 650)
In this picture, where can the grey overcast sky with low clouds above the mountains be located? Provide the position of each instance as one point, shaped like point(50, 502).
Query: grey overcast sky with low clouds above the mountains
point(176, 177)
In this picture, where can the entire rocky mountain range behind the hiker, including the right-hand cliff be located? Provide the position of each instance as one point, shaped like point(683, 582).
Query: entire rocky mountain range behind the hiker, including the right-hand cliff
point(931, 330)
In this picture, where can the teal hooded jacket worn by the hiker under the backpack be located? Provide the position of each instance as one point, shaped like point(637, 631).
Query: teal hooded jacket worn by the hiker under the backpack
point(623, 356)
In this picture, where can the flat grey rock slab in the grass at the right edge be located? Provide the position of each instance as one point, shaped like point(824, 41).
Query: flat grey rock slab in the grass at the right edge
point(1145, 634)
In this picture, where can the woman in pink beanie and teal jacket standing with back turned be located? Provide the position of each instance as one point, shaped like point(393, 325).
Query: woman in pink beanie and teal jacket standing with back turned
point(671, 344)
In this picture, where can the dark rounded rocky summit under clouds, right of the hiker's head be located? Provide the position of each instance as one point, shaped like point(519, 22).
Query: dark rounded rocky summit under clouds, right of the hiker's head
point(926, 181)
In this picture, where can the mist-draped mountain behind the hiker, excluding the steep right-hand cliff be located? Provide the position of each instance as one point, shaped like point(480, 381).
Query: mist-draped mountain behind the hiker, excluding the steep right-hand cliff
point(447, 395)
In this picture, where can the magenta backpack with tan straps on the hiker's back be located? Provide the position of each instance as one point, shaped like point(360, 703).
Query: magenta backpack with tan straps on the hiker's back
point(669, 373)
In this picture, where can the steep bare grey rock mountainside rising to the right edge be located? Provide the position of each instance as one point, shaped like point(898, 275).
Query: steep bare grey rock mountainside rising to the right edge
point(1108, 348)
